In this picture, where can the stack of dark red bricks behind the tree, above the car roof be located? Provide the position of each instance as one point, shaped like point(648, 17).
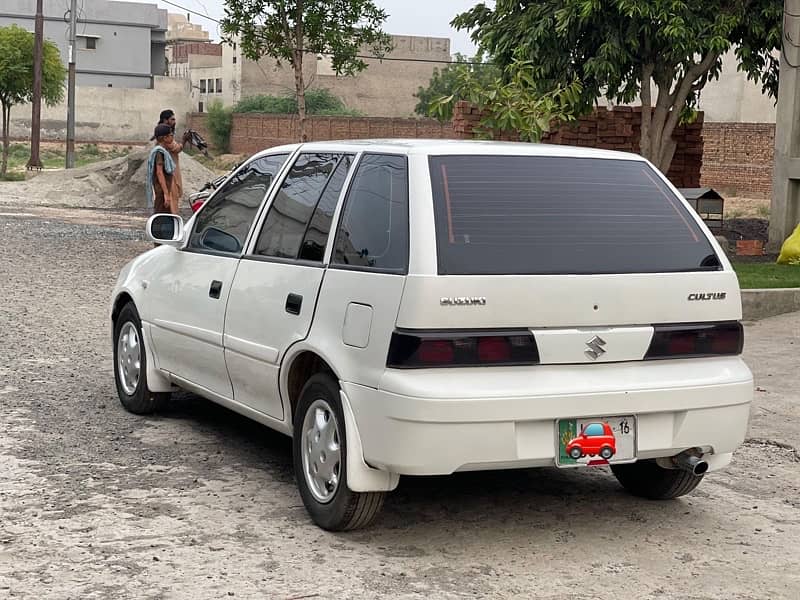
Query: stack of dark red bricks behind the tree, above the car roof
point(617, 129)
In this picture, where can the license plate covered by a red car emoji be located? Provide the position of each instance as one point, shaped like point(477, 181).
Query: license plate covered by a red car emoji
point(596, 441)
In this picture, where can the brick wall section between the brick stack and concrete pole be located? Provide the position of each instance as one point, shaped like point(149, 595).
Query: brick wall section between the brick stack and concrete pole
point(738, 158)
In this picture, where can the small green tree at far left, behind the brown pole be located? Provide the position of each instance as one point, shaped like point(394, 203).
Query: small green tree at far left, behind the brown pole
point(16, 77)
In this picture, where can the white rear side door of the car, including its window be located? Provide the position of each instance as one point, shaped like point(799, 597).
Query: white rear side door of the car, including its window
point(274, 294)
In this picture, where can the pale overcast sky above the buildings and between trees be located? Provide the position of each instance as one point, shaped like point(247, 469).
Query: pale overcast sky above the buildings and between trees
point(406, 17)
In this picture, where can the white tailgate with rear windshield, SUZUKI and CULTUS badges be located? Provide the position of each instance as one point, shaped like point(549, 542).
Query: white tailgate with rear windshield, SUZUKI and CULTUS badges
point(589, 253)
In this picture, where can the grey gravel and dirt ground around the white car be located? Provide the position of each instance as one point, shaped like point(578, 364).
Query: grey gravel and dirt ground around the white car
point(200, 503)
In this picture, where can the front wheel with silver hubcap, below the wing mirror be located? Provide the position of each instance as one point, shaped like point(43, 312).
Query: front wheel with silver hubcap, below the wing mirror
point(130, 365)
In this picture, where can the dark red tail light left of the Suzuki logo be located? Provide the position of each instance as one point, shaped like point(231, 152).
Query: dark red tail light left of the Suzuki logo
point(419, 350)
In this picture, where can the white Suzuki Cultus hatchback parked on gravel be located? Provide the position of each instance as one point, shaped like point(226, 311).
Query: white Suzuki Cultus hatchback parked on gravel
point(425, 307)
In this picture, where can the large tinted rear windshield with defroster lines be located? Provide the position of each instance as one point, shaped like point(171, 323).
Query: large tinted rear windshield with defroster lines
point(506, 215)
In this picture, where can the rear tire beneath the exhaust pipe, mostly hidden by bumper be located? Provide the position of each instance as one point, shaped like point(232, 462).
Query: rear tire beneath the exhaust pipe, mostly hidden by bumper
point(648, 480)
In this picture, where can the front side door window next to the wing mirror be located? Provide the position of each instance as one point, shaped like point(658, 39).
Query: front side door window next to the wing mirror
point(222, 225)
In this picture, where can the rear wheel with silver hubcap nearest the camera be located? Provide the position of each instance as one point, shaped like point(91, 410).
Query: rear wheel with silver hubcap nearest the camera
point(319, 446)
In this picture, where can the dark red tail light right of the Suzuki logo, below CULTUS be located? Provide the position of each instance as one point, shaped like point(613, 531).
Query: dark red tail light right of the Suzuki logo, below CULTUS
point(706, 339)
